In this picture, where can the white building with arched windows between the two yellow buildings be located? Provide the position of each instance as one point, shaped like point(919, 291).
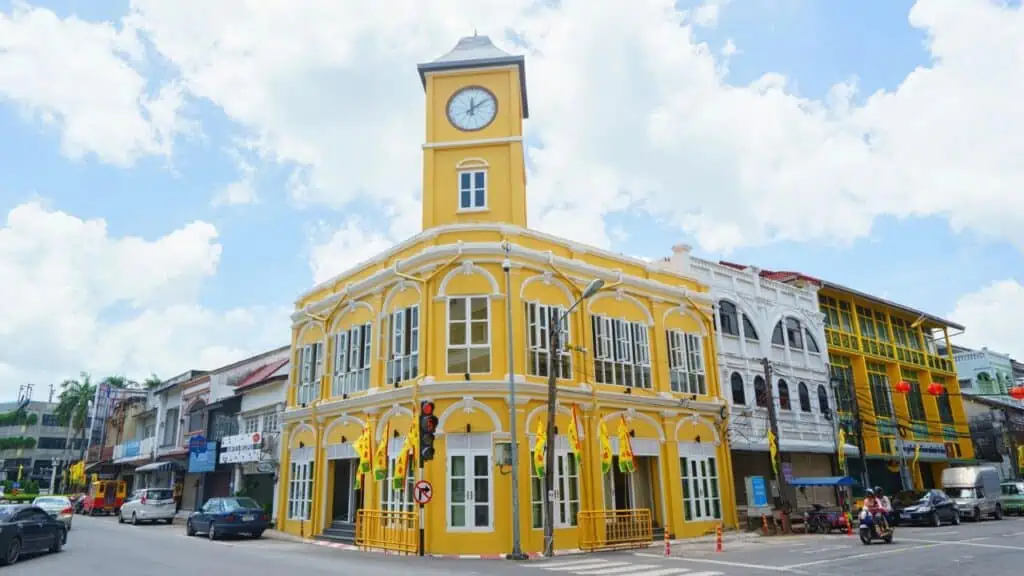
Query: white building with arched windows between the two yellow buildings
point(758, 318)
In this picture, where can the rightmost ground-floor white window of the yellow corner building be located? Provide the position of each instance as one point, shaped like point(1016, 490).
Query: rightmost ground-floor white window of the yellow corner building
point(700, 490)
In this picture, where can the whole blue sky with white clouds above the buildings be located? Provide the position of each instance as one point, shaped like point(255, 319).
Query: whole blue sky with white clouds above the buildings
point(174, 175)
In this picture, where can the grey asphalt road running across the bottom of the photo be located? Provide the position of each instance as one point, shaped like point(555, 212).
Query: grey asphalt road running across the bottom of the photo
point(101, 547)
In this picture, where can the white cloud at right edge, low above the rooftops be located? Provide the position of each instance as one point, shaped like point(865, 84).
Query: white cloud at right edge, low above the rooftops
point(992, 318)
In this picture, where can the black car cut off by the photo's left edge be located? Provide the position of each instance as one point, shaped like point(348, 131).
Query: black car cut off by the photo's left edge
point(26, 529)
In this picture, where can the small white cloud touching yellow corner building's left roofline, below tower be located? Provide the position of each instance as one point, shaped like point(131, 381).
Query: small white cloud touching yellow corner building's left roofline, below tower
point(335, 252)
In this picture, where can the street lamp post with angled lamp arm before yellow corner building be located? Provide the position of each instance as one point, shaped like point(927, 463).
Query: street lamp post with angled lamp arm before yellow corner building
point(554, 331)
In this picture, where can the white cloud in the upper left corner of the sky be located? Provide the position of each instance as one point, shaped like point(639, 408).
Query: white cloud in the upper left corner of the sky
point(82, 78)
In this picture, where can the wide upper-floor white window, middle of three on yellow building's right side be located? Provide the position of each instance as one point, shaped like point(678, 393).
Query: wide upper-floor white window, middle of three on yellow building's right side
point(622, 348)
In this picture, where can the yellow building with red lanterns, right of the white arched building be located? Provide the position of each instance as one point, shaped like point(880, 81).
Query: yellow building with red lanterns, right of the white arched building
point(874, 345)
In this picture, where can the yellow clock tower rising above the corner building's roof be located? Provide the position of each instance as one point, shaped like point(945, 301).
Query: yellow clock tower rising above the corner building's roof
point(474, 166)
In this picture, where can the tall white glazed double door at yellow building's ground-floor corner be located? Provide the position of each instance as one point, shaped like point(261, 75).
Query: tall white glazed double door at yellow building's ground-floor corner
point(475, 445)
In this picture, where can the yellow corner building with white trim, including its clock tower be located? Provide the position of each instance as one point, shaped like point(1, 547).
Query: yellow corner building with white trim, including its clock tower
point(432, 319)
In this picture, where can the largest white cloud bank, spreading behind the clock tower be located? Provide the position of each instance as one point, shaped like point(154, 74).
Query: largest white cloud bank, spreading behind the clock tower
point(331, 88)
